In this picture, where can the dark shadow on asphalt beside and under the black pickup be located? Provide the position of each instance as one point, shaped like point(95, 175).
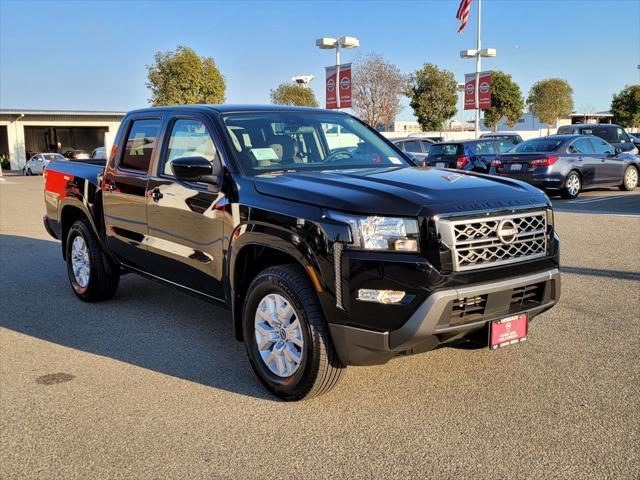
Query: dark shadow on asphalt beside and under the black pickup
point(146, 324)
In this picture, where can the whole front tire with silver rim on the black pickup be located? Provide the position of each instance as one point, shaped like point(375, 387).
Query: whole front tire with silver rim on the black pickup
point(286, 336)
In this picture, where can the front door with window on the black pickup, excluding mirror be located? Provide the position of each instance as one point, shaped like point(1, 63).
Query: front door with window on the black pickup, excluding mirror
point(186, 222)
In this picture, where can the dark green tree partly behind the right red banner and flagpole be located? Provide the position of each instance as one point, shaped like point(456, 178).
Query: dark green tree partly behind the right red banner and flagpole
point(506, 101)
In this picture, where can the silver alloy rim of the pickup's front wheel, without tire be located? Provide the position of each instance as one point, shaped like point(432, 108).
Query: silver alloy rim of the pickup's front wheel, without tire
point(278, 335)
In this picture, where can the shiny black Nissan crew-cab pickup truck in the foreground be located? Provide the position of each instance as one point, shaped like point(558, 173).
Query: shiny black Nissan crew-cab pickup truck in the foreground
point(328, 245)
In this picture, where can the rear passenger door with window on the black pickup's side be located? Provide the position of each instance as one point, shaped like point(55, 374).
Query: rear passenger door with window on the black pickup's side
point(124, 189)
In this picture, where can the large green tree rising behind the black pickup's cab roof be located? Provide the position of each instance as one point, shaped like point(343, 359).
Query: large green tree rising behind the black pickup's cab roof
point(182, 77)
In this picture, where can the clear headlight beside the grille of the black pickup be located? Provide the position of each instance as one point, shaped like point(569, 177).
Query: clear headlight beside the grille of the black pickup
point(382, 233)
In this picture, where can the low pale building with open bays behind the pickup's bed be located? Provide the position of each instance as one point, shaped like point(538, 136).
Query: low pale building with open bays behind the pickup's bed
point(24, 132)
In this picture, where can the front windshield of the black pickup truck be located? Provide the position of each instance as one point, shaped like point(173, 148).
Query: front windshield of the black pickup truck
point(265, 142)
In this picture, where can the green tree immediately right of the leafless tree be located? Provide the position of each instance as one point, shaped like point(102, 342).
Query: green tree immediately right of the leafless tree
point(433, 96)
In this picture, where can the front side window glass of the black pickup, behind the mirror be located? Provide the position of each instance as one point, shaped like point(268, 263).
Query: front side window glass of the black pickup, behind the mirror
point(189, 138)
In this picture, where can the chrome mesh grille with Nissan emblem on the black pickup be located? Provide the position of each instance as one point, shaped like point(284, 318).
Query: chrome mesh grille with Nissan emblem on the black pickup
point(491, 241)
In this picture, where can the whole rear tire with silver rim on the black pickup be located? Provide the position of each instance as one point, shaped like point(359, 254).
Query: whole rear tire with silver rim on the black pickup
point(92, 278)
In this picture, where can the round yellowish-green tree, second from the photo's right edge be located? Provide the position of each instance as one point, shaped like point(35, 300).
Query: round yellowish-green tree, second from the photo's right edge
point(550, 99)
